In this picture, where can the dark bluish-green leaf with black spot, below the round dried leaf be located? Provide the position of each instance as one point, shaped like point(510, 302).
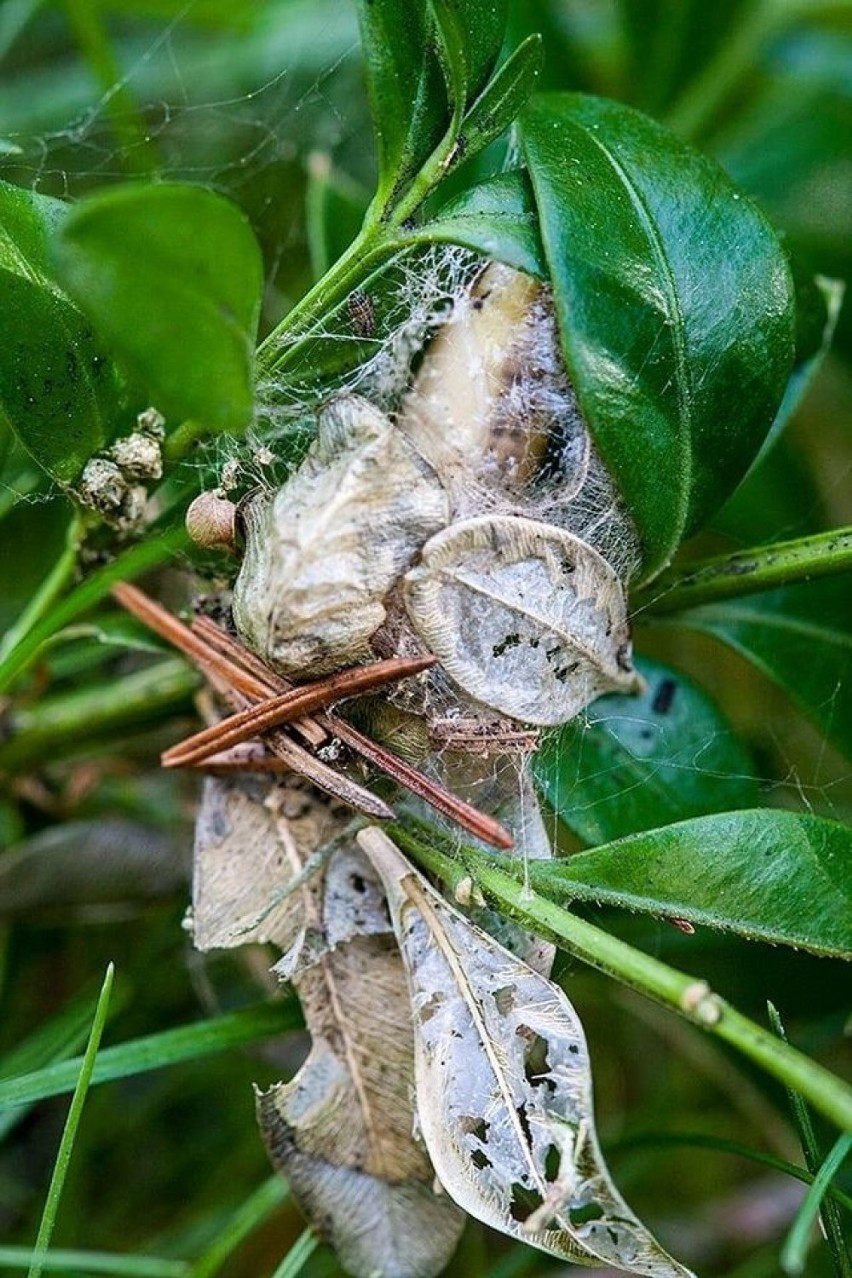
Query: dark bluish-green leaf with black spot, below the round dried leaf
point(639, 762)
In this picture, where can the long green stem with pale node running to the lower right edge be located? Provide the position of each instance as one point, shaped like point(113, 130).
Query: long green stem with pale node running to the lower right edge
point(689, 997)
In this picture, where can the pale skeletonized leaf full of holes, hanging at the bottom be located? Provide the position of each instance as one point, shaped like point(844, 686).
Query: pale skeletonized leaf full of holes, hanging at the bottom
point(505, 1087)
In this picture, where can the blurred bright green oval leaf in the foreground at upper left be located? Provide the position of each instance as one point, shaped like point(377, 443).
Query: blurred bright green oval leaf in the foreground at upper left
point(172, 275)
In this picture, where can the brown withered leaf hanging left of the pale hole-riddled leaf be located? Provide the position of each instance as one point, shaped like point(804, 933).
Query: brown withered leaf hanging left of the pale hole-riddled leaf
point(342, 1130)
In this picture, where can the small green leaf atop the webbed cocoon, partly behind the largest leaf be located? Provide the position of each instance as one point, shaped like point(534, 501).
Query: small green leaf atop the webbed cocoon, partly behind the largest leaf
point(496, 219)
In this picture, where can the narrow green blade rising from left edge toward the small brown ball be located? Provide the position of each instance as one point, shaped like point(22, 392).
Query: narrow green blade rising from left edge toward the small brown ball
point(159, 548)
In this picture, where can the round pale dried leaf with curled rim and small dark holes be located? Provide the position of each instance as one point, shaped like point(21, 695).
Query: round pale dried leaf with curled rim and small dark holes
point(527, 618)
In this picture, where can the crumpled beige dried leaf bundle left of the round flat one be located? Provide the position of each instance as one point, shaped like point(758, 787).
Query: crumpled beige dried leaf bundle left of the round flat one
point(323, 554)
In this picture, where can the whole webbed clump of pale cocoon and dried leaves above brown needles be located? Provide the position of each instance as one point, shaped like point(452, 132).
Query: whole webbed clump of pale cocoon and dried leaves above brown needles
point(478, 523)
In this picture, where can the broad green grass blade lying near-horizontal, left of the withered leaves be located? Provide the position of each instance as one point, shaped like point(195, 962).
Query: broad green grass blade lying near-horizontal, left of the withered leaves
point(156, 1051)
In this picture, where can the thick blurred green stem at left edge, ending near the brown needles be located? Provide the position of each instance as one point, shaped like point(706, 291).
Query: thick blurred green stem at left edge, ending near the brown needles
point(52, 728)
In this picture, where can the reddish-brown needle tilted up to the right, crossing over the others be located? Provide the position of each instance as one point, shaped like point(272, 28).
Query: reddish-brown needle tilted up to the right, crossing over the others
point(291, 706)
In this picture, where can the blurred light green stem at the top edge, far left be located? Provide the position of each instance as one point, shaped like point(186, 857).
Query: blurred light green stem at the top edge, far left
point(137, 150)
